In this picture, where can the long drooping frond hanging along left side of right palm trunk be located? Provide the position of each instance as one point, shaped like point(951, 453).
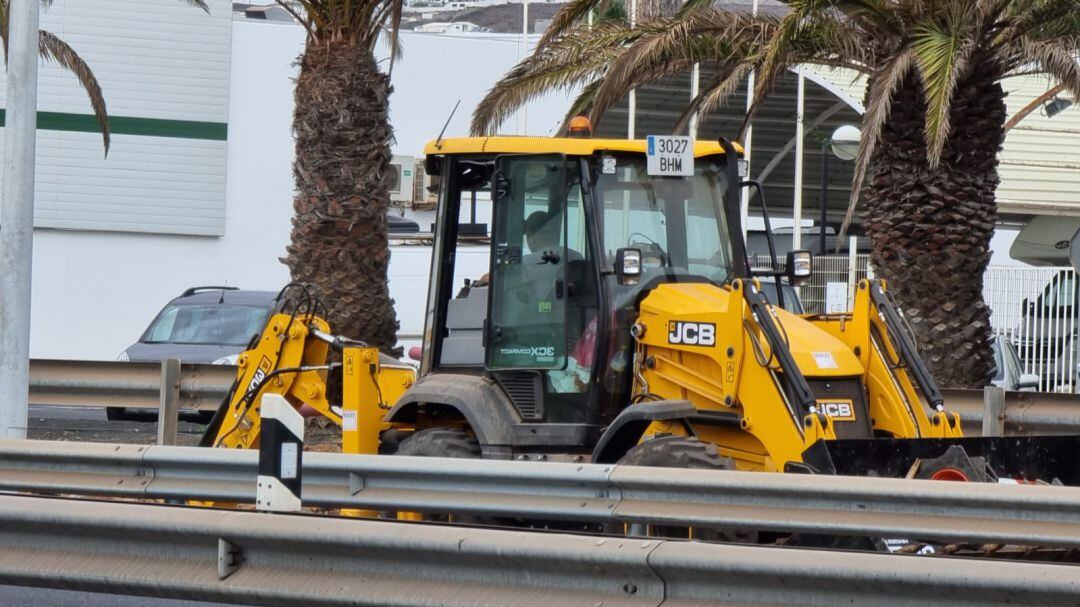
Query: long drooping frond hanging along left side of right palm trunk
point(883, 87)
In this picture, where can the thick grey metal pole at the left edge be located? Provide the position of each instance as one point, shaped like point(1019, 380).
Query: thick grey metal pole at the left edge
point(17, 217)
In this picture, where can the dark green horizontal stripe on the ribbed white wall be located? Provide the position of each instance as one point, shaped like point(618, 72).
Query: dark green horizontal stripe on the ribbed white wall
point(130, 126)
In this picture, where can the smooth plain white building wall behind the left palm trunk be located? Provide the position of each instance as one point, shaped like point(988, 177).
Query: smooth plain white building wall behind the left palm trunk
point(96, 292)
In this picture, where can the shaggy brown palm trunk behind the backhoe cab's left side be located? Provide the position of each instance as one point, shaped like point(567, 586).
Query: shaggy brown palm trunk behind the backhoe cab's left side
point(343, 177)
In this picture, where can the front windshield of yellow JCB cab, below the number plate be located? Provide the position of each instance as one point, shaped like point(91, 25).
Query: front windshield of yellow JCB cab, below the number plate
point(678, 223)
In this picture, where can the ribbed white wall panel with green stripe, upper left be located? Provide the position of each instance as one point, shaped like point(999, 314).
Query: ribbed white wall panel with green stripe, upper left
point(164, 69)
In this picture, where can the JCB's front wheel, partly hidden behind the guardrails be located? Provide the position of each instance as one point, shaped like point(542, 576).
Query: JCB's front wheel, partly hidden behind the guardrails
point(683, 452)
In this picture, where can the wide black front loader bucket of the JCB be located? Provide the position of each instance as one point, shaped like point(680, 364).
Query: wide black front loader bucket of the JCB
point(1020, 458)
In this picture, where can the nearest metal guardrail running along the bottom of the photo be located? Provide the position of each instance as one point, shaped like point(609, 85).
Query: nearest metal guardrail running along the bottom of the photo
point(278, 560)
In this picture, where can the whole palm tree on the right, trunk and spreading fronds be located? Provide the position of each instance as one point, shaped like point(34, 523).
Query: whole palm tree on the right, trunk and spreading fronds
point(927, 167)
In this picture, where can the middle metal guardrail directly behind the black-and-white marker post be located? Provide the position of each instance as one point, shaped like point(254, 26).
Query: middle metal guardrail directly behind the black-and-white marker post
point(926, 510)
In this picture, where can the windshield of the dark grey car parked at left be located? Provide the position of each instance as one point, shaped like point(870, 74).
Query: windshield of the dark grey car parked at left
point(211, 325)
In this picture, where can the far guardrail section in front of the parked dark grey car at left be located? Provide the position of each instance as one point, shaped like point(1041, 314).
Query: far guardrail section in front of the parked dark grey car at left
point(101, 384)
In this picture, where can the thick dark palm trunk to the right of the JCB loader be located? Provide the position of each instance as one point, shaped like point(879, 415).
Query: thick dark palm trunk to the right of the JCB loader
point(930, 230)
